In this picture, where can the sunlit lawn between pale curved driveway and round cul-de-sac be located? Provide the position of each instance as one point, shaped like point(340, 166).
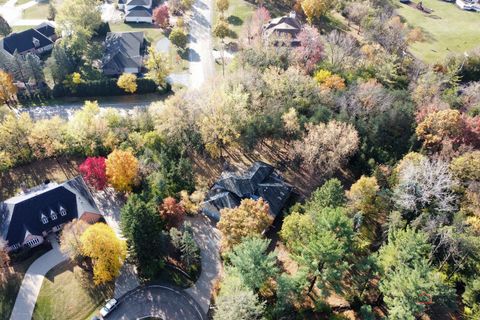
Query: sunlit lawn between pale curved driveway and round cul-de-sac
point(63, 296)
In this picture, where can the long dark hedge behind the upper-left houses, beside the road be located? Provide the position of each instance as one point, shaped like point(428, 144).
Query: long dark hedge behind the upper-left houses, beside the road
point(106, 87)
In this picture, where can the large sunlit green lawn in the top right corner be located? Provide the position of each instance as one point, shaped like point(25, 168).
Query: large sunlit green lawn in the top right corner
point(447, 29)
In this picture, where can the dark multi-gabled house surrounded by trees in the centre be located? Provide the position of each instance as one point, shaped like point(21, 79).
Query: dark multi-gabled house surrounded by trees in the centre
point(259, 181)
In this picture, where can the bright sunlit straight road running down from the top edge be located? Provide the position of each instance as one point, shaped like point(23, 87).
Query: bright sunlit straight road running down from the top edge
point(201, 44)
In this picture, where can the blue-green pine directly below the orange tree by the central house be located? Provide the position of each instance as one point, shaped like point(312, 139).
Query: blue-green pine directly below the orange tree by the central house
point(250, 260)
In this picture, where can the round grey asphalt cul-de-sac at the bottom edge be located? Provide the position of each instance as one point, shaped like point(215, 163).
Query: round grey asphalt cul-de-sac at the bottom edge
point(157, 301)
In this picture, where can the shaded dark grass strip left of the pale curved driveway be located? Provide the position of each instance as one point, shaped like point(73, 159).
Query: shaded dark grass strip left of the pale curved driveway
point(9, 289)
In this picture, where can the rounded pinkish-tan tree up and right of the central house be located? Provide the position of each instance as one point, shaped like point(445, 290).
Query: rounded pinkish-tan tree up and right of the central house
point(326, 147)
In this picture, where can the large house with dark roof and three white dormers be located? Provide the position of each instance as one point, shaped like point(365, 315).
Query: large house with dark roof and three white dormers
point(26, 219)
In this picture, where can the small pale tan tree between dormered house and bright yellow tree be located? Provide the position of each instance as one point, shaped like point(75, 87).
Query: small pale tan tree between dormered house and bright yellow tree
point(70, 239)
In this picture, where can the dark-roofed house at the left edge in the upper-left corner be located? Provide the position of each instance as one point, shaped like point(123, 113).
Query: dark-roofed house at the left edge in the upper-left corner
point(37, 40)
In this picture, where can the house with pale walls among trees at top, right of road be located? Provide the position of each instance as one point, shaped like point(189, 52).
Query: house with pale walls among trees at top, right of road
point(286, 26)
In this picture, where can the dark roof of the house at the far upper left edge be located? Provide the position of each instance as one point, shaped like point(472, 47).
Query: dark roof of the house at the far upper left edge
point(23, 41)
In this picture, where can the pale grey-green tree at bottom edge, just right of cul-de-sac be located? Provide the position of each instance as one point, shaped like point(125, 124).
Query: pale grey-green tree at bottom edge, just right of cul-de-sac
point(239, 305)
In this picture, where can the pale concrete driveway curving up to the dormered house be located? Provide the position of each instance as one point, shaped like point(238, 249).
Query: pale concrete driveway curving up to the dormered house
point(32, 283)
